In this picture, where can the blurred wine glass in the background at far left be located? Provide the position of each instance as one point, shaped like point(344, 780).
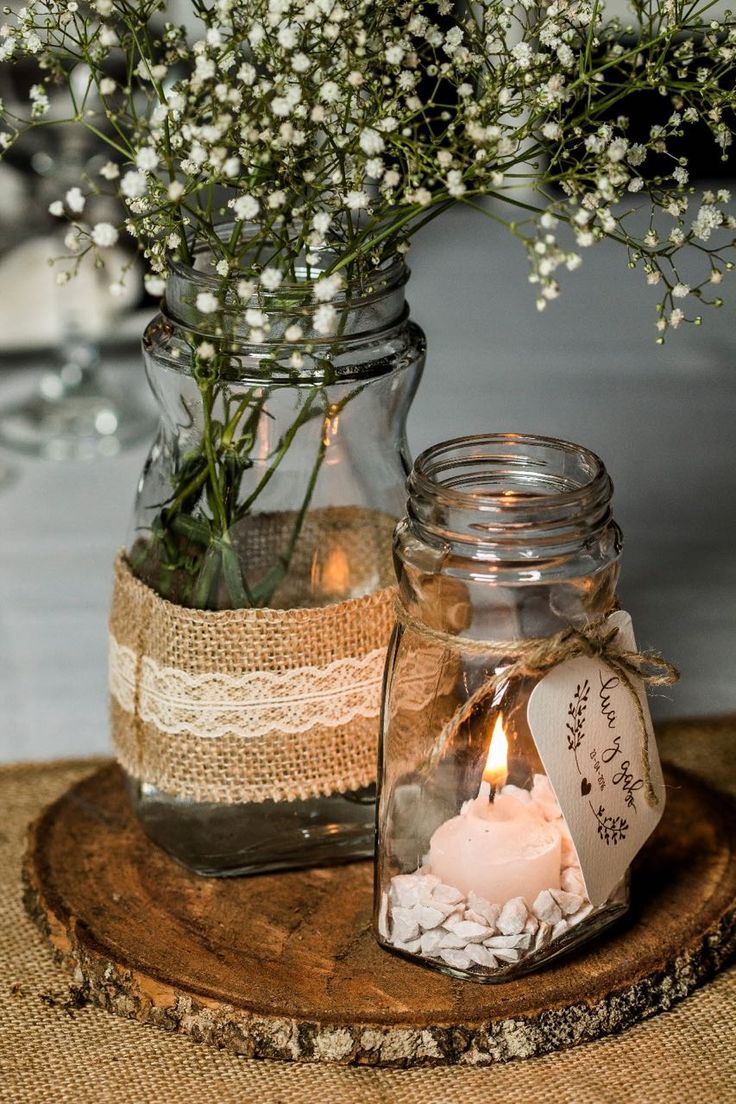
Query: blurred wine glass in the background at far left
point(81, 407)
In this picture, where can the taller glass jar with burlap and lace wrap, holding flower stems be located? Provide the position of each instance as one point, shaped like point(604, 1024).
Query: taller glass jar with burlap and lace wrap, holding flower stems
point(265, 508)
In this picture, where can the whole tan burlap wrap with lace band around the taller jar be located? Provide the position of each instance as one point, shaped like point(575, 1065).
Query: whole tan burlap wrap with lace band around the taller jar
point(247, 705)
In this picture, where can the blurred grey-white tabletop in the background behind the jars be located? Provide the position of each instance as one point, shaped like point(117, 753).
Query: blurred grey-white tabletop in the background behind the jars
point(588, 370)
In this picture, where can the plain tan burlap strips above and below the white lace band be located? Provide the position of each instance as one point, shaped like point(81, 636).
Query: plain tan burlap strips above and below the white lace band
point(279, 766)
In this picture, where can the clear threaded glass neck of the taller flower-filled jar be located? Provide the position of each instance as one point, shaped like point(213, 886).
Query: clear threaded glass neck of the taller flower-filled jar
point(364, 309)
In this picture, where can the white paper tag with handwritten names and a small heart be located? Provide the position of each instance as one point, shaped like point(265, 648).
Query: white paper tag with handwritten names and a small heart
point(589, 733)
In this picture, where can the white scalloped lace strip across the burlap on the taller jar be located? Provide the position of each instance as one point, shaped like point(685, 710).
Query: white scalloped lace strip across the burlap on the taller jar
point(250, 706)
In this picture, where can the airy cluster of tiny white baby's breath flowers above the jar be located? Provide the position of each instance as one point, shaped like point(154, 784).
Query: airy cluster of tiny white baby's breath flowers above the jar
point(304, 137)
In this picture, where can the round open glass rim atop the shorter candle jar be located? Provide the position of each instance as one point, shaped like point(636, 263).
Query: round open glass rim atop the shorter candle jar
point(489, 448)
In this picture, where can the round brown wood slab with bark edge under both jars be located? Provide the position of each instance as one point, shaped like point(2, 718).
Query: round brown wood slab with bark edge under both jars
point(284, 967)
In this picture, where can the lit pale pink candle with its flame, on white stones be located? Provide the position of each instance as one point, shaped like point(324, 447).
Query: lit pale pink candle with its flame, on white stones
point(498, 847)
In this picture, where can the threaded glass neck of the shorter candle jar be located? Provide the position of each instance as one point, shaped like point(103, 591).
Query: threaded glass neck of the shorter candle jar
point(519, 500)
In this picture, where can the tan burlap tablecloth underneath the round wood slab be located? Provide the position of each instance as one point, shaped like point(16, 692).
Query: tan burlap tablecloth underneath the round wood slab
point(54, 1052)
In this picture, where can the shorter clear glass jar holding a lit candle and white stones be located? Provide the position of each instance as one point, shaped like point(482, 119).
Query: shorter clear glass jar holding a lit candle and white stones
point(507, 539)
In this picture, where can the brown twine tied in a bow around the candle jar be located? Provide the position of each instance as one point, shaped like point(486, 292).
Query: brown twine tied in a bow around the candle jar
point(536, 657)
